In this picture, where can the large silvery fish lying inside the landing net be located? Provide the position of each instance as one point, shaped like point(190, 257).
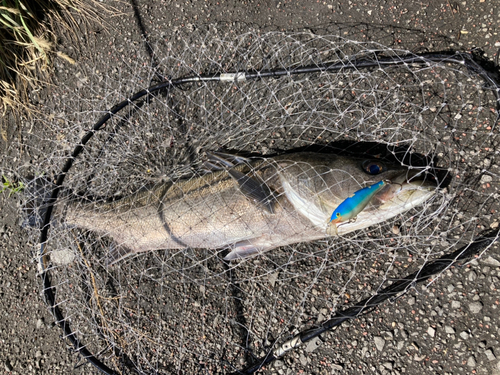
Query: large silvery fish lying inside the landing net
point(250, 205)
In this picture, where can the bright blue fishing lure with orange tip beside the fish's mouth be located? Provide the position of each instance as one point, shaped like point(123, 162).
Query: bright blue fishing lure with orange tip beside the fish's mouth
point(352, 206)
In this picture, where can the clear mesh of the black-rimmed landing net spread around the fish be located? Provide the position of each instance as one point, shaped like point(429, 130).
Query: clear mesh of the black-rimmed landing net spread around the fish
point(184, 310)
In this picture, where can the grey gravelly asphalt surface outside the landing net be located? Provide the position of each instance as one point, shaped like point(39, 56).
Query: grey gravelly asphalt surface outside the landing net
point(451, 328)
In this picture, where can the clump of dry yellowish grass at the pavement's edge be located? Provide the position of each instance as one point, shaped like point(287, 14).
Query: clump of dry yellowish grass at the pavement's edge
point(28, 45)
